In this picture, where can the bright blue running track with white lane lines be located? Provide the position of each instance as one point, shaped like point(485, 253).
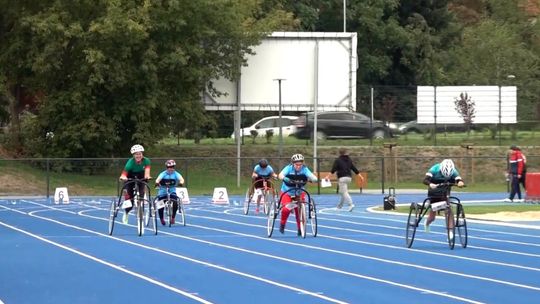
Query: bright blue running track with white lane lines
point(62, 254)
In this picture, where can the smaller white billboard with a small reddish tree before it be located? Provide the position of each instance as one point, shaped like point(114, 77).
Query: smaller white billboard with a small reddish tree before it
point(492, 104)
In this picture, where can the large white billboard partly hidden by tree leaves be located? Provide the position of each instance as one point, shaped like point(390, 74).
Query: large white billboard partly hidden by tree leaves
point(315, 68)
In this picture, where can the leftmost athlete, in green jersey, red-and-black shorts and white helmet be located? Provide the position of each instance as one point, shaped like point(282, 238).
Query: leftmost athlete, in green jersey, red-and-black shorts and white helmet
point(136, 167)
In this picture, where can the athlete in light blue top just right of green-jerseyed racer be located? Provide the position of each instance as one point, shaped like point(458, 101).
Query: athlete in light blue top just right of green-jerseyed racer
point(172, 178)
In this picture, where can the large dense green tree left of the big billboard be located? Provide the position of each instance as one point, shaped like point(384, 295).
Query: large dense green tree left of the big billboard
point(112, 70)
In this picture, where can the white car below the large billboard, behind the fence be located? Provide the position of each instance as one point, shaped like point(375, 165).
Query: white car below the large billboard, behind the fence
point(270, 123)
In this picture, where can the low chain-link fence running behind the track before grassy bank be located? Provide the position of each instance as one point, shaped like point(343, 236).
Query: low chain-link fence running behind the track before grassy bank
point(40, 177)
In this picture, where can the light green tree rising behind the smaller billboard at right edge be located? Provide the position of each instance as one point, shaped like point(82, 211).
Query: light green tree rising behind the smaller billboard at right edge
point(503, 42)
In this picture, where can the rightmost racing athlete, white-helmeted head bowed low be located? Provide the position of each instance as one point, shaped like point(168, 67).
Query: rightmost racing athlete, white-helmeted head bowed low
point(443, 172)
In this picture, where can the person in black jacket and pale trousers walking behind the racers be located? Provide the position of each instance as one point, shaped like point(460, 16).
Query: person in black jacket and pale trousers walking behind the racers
point(342, 167)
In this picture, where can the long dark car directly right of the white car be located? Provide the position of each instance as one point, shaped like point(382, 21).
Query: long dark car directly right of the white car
point(340, 125)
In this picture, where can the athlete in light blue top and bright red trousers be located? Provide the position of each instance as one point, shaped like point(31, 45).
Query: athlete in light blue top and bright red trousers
point(296, 170)
